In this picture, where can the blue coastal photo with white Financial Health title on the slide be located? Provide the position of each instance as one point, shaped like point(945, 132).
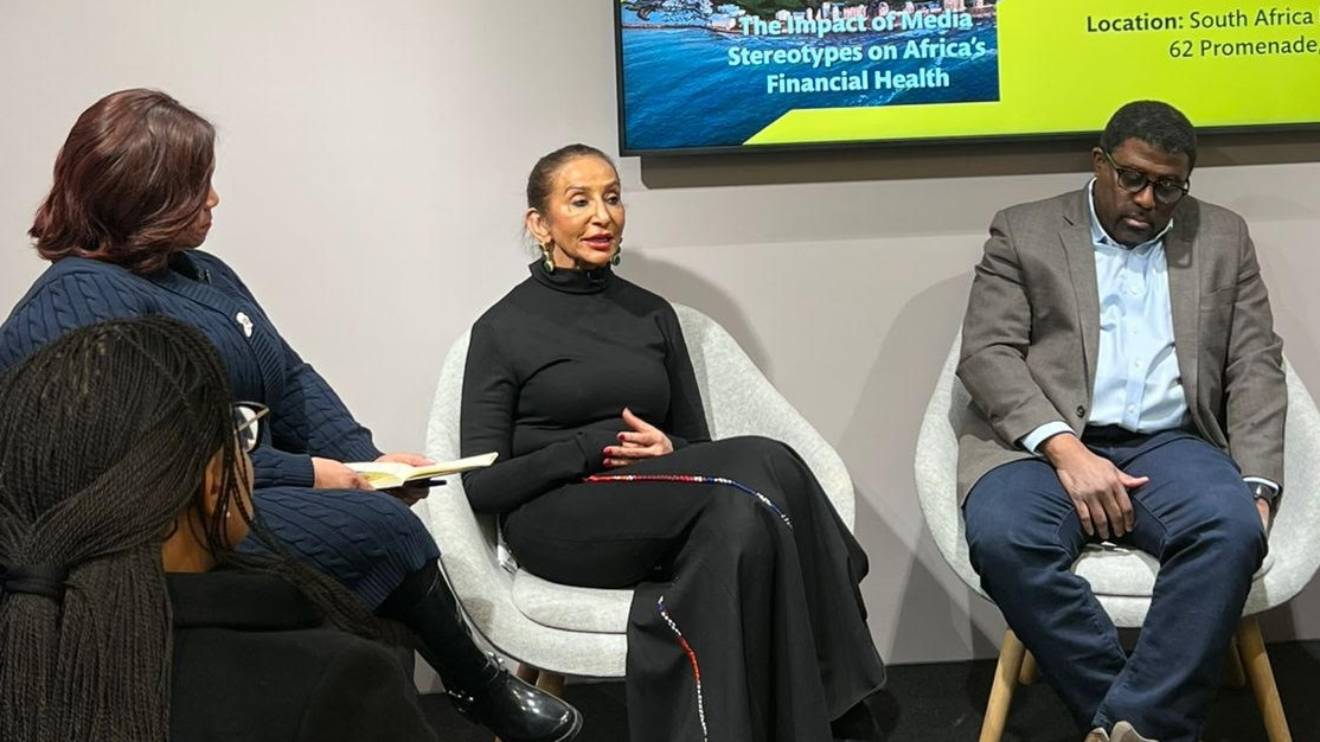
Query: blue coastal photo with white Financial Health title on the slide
point(700, 73)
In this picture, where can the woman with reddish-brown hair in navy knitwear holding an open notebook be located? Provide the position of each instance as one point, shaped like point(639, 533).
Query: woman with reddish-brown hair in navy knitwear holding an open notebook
point(131, 203)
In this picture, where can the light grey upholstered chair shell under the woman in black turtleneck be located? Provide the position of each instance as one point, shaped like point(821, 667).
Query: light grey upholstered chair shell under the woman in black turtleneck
point(580, 630)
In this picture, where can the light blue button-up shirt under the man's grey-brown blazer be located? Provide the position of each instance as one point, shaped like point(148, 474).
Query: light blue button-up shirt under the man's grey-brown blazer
point(1138, 384)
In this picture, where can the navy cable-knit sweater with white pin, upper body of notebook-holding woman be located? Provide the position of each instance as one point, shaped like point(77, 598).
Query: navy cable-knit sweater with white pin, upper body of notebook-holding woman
point(307, 418)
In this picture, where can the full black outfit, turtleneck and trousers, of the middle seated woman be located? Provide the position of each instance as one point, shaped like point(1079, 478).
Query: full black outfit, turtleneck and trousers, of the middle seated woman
point(748, 621)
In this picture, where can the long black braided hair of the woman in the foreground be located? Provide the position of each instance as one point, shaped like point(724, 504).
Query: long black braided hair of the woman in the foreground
point(105, 439)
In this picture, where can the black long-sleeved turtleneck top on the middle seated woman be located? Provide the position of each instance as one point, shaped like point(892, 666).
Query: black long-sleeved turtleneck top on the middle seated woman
point(551, 369)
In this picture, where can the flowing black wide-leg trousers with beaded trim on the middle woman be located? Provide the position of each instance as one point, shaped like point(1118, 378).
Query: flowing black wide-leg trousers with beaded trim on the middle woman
point(748, 623)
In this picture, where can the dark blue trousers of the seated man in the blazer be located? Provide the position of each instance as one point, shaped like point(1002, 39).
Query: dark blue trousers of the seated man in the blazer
point(1195, 516)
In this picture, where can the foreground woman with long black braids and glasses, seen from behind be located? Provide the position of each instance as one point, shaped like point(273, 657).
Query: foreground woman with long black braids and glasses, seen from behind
point(123, 483)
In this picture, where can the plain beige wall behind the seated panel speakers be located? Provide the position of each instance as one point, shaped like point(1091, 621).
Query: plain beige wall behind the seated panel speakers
point(372, 164)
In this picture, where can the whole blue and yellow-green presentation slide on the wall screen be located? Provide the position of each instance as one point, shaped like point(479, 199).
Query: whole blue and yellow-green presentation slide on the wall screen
point(702, 76)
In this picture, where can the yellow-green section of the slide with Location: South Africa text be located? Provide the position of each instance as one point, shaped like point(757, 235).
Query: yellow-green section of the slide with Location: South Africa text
point(1066, 65)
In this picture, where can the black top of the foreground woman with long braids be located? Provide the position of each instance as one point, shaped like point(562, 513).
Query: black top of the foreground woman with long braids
point(254, 662)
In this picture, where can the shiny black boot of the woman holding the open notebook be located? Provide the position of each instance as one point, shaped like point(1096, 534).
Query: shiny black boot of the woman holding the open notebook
point(480, 687)
